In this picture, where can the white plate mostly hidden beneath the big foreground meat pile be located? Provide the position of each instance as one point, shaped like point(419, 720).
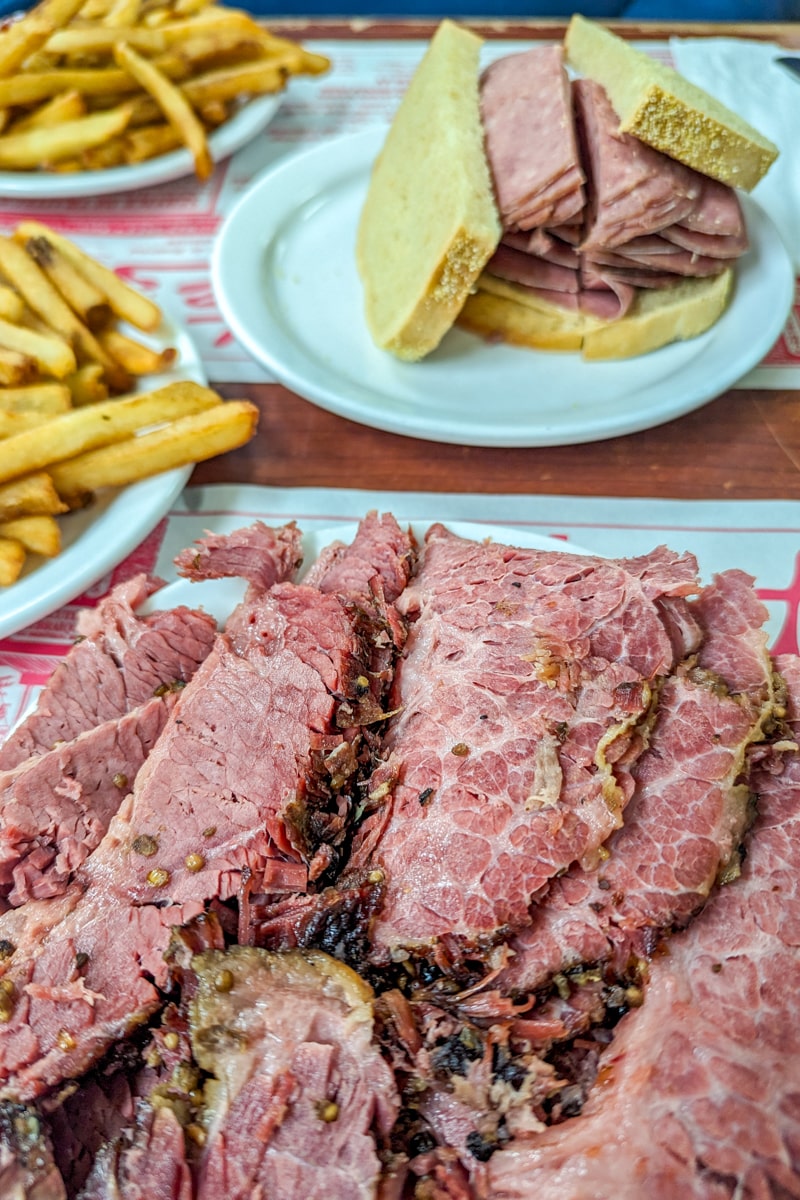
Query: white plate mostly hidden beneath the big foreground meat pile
point(221, 597)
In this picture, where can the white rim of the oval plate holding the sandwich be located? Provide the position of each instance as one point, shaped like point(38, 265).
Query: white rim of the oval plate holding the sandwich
point(350, 155)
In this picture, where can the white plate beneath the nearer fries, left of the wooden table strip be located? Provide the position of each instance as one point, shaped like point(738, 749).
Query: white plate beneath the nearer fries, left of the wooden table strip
point(98, 538)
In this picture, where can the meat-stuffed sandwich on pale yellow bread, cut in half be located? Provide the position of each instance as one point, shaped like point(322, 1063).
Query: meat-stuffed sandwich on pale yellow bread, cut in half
point(597, 214)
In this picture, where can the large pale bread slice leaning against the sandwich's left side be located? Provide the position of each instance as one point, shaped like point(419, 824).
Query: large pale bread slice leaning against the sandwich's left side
point(430, 221)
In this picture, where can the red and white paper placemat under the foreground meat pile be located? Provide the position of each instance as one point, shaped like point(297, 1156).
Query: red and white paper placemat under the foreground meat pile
point(762, 538)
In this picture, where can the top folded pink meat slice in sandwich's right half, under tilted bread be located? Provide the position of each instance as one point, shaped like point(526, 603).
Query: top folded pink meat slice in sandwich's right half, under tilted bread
point(635, 190)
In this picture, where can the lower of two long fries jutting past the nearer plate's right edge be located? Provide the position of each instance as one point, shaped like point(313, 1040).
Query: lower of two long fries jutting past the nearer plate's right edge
point(179, 445)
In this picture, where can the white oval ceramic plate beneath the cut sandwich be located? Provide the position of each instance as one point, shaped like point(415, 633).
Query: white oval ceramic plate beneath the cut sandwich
point(286, 280)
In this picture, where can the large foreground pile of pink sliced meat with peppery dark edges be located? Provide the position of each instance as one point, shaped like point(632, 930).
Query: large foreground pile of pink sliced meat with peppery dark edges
point(454, 871)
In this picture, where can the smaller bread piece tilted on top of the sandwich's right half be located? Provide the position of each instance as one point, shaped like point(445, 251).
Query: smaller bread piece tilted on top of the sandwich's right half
point(659, 106)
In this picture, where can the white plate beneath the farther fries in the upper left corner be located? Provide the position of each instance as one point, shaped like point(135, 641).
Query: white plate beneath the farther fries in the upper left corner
point(243, 127)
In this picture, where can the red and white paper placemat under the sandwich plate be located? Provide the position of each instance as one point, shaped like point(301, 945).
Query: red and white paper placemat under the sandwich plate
point(161, 237)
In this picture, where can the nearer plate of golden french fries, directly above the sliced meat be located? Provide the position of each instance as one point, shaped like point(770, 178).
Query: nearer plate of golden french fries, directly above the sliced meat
point(104, 412)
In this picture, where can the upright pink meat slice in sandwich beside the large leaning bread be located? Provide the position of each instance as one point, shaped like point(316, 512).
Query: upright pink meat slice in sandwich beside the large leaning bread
point(531, 142)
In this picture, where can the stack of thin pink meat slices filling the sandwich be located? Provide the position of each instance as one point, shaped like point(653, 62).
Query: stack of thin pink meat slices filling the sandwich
point(591, 214)
